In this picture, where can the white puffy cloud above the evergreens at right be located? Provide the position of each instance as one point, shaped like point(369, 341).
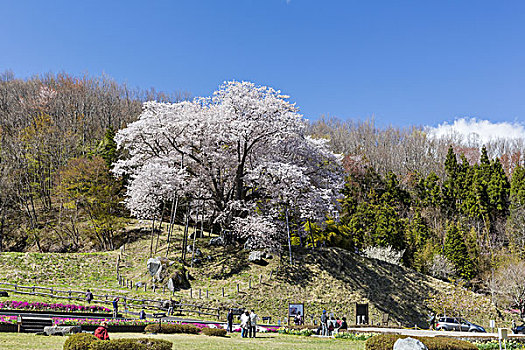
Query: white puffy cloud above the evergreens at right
point(479, 131)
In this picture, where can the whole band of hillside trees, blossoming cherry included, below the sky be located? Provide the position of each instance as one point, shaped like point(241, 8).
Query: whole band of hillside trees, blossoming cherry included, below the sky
point(244, 164)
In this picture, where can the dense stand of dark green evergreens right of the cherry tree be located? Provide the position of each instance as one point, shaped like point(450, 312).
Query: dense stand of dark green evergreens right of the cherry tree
point(465, 218)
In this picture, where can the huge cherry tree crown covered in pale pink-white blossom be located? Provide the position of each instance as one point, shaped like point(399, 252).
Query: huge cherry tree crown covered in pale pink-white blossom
point(243, 152)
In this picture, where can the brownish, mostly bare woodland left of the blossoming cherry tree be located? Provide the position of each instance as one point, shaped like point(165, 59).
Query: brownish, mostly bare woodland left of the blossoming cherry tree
point(49, 126)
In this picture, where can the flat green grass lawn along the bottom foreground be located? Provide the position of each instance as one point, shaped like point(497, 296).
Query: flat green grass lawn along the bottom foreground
point(22, 341)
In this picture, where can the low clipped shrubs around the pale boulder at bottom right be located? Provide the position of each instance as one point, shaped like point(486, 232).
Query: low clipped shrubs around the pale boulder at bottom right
point(386, 342)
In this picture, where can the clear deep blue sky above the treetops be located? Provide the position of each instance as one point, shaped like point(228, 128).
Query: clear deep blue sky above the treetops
point(404, 62)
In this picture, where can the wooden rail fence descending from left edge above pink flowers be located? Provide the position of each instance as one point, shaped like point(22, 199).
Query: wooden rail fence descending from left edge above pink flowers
point(108, 298)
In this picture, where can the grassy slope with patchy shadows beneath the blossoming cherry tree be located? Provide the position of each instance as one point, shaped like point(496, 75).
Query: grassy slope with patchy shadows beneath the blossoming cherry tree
point(325, 278)
